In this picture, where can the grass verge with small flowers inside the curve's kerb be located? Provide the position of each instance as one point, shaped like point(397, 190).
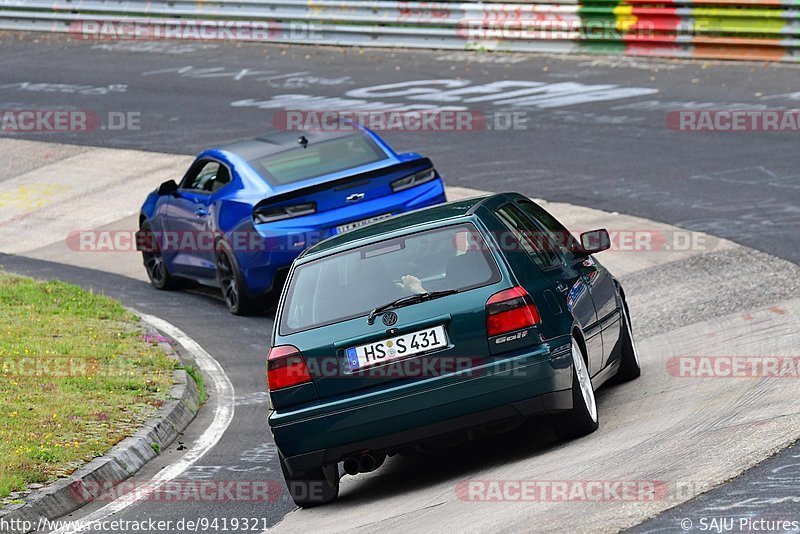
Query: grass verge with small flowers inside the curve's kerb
point(76, 377)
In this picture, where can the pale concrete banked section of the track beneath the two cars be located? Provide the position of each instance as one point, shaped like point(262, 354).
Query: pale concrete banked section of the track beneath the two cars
point(688, 434)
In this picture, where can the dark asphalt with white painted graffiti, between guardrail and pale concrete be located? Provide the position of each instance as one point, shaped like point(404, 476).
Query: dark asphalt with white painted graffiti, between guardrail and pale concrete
point(615, 155)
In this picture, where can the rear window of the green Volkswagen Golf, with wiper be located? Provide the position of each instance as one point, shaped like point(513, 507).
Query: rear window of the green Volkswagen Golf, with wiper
point(350, 284)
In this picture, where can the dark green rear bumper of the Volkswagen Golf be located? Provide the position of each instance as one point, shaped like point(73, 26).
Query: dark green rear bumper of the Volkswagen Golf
point(536, 383)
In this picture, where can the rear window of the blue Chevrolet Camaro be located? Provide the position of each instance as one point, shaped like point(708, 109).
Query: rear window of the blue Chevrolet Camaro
point(318, 159)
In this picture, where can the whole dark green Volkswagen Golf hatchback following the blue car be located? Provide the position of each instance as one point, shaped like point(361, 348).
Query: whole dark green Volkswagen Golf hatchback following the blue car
point(444, 322)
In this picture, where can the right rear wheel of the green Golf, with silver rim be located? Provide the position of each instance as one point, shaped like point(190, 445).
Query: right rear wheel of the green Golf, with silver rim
point(583, 418)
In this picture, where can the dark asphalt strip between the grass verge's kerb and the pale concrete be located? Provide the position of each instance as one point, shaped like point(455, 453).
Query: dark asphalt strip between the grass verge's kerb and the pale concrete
point(252, 457)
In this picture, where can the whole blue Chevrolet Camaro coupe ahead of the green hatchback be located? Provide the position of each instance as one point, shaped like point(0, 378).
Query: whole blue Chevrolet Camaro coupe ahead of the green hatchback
point(243, 212)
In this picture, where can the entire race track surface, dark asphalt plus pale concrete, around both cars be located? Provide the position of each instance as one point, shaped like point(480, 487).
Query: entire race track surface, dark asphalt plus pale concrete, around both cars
point(612, 152)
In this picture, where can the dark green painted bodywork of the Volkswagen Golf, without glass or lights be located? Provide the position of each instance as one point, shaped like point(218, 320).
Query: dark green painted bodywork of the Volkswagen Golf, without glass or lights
point(340, 414)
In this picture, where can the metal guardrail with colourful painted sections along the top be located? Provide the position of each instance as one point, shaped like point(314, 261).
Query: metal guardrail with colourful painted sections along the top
point(725, 29)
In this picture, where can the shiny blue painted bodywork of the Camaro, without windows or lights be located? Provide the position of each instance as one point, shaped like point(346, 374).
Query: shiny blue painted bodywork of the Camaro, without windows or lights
point(230, 215)
